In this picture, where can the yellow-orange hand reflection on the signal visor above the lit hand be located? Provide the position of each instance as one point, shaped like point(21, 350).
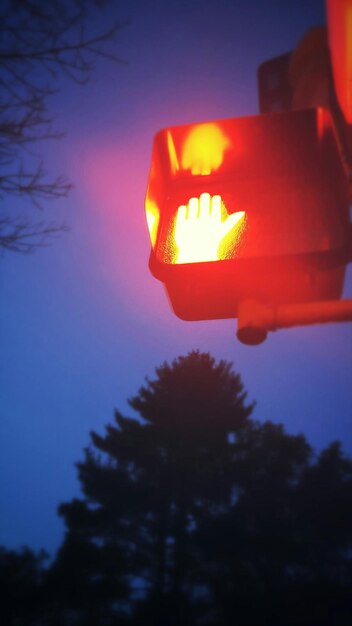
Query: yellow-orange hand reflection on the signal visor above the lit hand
point(204, 148)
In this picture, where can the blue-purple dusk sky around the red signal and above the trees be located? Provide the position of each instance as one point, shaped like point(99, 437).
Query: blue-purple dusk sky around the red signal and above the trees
point(83, 322)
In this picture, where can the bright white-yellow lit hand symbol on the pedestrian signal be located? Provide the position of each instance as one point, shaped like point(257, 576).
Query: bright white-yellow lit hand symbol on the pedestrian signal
point(204, 231)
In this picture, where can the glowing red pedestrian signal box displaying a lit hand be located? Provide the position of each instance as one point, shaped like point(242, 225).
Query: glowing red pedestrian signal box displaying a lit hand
point(254, 207)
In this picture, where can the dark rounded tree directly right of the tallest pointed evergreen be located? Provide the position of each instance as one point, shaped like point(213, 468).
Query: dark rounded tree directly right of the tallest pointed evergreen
point(247, 548)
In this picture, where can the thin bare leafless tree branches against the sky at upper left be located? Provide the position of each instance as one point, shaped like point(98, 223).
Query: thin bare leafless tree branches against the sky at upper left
point(39, 43)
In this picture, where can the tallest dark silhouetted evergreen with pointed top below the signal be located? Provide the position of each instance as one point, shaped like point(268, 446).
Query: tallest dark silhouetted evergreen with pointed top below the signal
point(147, 482)
